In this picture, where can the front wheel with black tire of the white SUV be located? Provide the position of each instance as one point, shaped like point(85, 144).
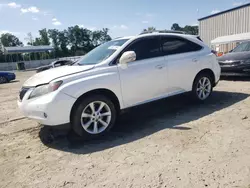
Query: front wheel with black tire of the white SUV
point(93, 116)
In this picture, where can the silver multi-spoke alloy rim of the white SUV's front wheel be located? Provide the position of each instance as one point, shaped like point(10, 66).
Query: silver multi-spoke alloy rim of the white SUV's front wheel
point(96, 117)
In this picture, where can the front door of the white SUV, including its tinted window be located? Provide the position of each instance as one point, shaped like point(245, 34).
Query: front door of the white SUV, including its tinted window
point(144, 79)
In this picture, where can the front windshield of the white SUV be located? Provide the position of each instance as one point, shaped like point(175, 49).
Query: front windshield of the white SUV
point(101, 52)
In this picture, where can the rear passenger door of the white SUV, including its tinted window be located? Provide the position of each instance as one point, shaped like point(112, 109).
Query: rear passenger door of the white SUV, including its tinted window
point(182, 63)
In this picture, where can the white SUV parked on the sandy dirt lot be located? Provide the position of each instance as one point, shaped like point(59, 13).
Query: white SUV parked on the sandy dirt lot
point(119, 74)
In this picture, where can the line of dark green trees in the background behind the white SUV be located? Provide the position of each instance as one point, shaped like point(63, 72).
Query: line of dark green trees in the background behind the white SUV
point(73, 41)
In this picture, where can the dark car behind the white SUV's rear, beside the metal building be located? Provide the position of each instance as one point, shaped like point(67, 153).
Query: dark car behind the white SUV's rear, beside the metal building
point(236, 62)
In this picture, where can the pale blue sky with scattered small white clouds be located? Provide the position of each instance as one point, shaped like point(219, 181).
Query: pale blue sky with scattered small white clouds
point(122, 17)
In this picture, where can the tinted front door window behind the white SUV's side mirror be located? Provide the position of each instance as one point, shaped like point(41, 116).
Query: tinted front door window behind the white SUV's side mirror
point(146, 48)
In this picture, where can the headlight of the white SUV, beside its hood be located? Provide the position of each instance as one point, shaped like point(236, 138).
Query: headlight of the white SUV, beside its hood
point(45, 89)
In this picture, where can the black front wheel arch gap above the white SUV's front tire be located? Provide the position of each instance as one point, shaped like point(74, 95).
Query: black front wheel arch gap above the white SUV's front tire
point(106, 92)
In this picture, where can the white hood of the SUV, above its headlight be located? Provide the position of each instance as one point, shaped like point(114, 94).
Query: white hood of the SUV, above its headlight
point(51, 74)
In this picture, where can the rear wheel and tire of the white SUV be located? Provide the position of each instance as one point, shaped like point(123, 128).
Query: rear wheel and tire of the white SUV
point(202, 87)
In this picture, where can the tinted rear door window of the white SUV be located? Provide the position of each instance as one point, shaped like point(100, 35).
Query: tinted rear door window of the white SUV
point(176, 46)
